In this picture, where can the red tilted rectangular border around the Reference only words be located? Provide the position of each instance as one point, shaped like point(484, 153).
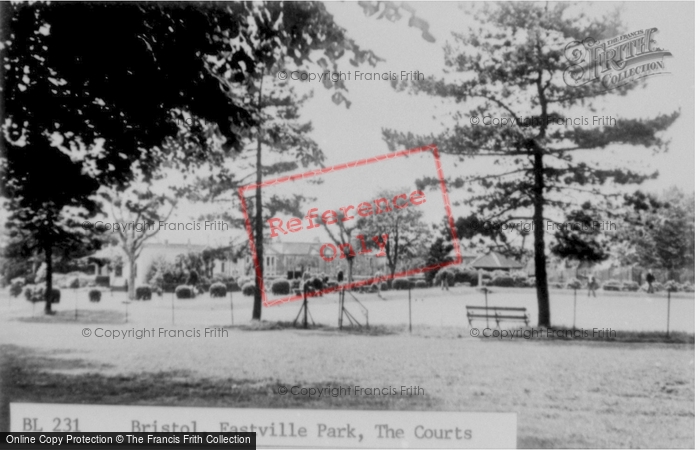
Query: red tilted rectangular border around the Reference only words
point(360, 162)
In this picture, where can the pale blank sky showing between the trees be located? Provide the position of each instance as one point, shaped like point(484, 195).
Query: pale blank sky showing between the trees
point(348, 134)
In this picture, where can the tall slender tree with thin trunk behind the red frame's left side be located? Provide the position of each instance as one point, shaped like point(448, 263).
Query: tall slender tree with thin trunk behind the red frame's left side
point(282, 36)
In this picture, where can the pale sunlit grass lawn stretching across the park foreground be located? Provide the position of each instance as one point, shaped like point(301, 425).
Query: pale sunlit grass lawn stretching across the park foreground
point(637, 391)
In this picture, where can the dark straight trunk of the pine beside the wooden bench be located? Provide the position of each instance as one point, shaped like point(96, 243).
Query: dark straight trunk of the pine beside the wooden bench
point(540, 257)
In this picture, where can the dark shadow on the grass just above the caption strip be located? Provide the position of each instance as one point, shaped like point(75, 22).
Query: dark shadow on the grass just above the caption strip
point(25, 377)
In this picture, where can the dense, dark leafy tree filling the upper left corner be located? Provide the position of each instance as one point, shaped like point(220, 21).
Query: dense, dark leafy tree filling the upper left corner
point(90, 88)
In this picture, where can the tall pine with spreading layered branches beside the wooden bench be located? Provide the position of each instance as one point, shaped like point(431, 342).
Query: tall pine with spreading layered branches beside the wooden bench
point(512, 65)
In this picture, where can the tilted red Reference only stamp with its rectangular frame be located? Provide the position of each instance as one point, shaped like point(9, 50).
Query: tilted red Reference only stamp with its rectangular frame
point(349, 211)
